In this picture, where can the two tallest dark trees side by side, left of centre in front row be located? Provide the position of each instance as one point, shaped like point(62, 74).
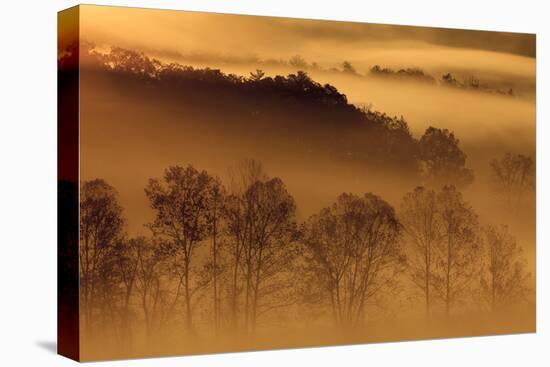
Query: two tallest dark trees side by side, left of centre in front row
point(251, 234)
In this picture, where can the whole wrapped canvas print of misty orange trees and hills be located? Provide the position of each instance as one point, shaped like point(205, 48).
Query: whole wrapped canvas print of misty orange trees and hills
point(236, 183)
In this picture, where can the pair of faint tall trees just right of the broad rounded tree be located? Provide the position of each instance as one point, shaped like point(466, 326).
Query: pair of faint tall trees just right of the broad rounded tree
point(444, 248)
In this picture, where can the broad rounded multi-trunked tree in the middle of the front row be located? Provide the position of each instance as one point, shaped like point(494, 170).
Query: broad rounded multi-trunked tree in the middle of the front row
point(353, 249)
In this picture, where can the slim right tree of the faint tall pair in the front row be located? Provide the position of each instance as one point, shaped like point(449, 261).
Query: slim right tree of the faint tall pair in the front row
point(459, 247)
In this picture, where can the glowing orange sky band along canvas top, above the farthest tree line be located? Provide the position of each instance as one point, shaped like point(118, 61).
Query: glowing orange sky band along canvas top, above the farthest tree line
point(180, 31)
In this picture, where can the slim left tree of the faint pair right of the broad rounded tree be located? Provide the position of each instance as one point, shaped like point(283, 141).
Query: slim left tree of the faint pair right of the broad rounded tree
point(422, 226)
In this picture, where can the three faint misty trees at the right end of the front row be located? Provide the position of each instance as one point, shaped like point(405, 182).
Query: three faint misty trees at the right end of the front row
point(451, 258)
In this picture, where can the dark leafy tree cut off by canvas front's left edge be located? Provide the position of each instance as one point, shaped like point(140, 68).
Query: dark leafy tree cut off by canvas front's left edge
point(101, 226)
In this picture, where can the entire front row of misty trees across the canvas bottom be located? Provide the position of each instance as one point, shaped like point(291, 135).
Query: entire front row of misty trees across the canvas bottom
point(227, 260)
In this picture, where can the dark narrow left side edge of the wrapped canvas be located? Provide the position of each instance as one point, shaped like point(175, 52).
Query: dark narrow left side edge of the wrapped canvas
point(68, 338)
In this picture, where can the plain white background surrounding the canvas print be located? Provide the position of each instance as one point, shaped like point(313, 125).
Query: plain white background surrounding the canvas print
point(28, 182)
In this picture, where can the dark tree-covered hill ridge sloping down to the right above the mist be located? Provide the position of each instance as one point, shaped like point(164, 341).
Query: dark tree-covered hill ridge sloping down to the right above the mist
point(315, 120)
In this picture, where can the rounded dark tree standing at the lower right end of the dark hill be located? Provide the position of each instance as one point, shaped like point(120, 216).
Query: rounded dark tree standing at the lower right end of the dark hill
point(442, 159)
